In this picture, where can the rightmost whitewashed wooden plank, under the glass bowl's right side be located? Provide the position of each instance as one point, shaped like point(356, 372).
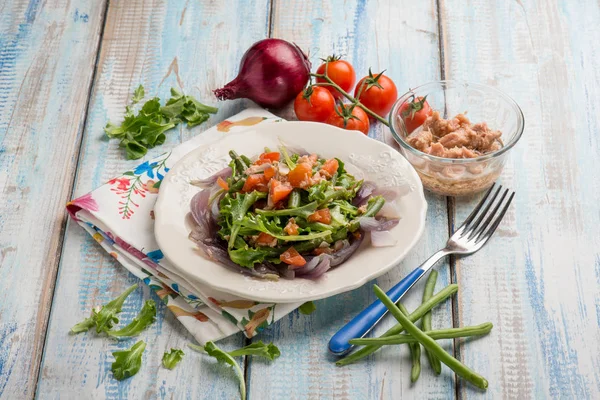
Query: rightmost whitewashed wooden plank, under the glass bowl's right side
point(538, 280)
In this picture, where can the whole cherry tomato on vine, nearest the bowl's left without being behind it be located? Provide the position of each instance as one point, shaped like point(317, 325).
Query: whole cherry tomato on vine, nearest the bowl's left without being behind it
point(379, 93)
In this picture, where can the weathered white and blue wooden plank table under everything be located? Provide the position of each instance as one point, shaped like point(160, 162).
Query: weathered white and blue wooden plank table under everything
point(66, 67)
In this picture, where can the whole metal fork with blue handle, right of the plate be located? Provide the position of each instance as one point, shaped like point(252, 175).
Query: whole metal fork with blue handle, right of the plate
point(469, 238)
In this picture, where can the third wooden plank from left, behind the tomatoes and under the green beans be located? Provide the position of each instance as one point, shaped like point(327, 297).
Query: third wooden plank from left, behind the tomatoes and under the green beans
point(403, 39)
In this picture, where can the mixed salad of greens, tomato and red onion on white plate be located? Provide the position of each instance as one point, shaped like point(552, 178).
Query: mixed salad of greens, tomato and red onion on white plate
point(288, 214)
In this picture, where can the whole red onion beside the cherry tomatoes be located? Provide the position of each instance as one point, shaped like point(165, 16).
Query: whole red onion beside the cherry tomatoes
point(272, 73)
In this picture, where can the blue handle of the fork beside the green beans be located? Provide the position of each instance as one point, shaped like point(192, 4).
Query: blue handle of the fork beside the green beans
point(363, 322)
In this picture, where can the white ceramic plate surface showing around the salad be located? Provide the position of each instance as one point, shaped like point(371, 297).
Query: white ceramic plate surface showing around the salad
point(376, 162)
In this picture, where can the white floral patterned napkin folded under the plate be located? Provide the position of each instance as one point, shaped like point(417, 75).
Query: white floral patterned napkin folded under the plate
point(119, 215)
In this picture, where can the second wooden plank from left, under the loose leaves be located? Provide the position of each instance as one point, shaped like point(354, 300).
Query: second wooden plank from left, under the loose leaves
point(196, 45)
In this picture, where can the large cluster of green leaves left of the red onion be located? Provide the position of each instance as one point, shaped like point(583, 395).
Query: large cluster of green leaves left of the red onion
point(147, 128)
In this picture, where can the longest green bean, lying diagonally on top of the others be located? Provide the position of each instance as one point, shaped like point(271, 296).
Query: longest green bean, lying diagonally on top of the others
point(430, 344)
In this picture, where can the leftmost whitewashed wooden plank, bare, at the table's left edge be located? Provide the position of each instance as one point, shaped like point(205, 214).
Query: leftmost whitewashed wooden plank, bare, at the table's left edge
point(43, 99)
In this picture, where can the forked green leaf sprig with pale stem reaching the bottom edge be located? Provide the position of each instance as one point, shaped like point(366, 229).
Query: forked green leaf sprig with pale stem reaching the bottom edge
point(269, 351)
